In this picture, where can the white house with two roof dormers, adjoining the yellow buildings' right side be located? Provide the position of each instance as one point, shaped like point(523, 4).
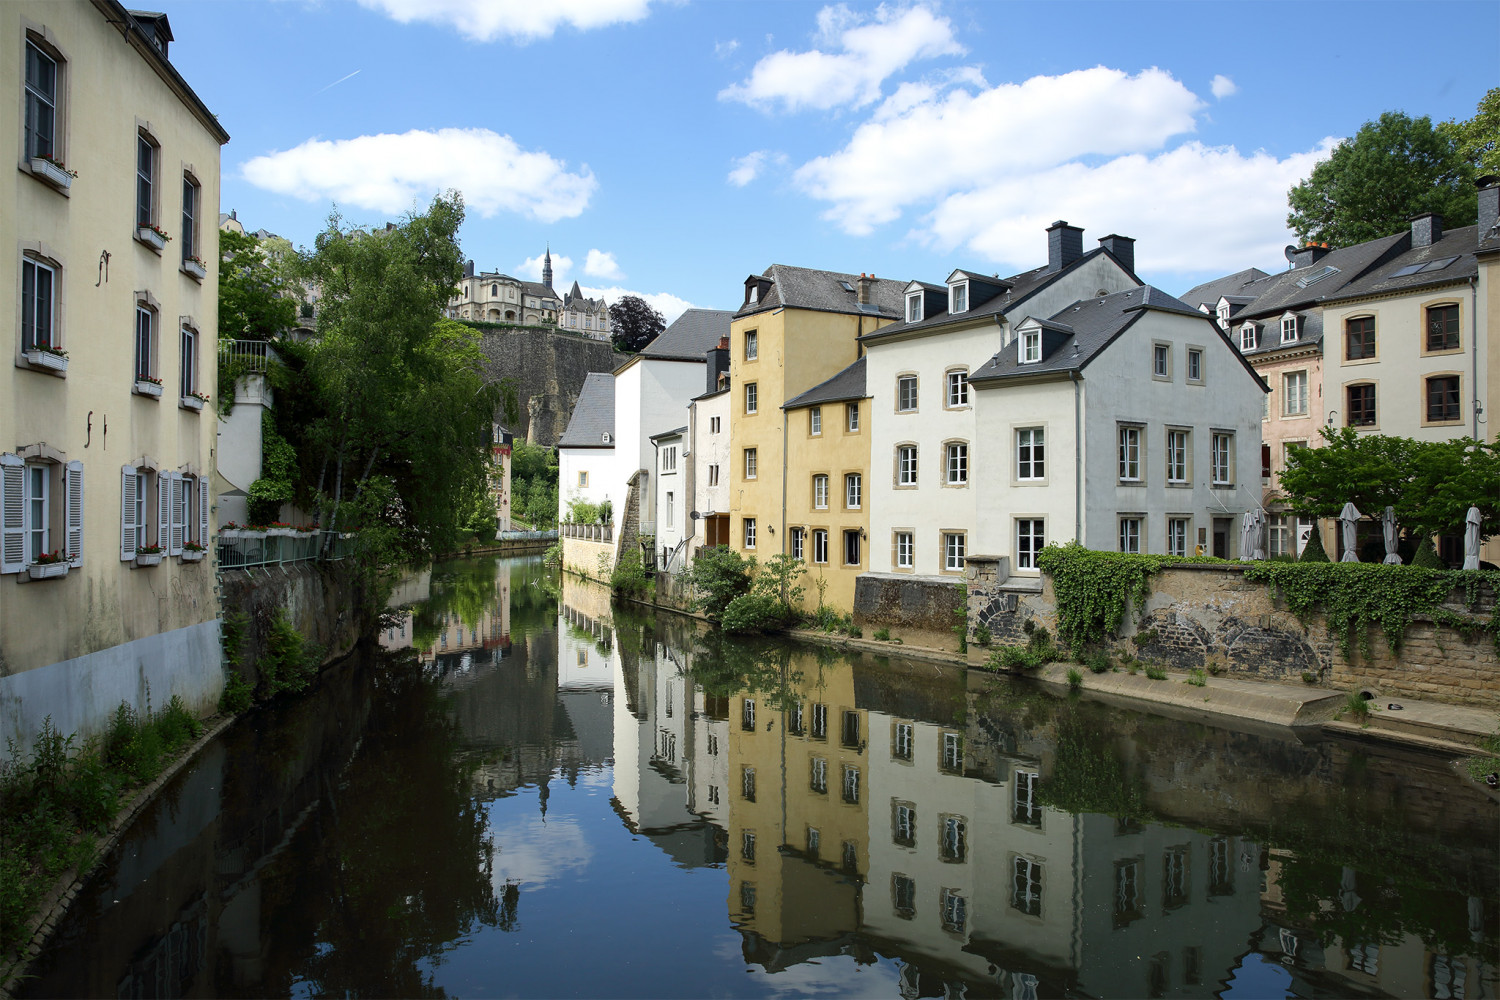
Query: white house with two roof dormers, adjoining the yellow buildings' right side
point(925, 445)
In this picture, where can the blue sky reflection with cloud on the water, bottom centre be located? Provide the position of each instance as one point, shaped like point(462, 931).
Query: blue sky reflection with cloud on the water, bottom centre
point(619, 917)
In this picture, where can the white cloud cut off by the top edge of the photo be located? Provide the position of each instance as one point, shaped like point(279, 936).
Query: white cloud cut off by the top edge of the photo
point(518, 20)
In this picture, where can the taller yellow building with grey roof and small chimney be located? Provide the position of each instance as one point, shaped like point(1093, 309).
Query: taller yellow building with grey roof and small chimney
point(796, 329)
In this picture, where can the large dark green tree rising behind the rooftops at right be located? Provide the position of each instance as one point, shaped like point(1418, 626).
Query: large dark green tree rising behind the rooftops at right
point(1391, 170)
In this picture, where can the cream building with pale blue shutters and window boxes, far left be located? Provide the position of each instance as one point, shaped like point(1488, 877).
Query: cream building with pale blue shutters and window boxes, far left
point(107, 421)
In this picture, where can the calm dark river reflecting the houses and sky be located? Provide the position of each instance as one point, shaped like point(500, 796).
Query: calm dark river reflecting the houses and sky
point(529, 794)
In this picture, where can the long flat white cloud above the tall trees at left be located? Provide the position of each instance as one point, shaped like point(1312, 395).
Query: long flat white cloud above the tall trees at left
point(389, 173)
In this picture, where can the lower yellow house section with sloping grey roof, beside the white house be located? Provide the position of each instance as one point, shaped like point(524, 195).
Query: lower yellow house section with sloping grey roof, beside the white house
point(829, 487)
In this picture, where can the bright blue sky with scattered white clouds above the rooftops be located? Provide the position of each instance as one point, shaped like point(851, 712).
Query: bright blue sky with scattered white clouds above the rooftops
point(671, 149)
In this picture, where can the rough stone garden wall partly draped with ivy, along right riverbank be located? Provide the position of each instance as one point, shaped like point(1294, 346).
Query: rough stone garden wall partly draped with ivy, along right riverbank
point(1208, 615)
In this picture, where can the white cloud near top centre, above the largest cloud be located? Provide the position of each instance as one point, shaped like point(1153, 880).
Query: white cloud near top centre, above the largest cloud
point(871, 52)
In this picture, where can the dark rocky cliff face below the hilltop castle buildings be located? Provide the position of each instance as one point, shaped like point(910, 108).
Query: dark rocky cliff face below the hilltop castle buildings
point(550, 368)
